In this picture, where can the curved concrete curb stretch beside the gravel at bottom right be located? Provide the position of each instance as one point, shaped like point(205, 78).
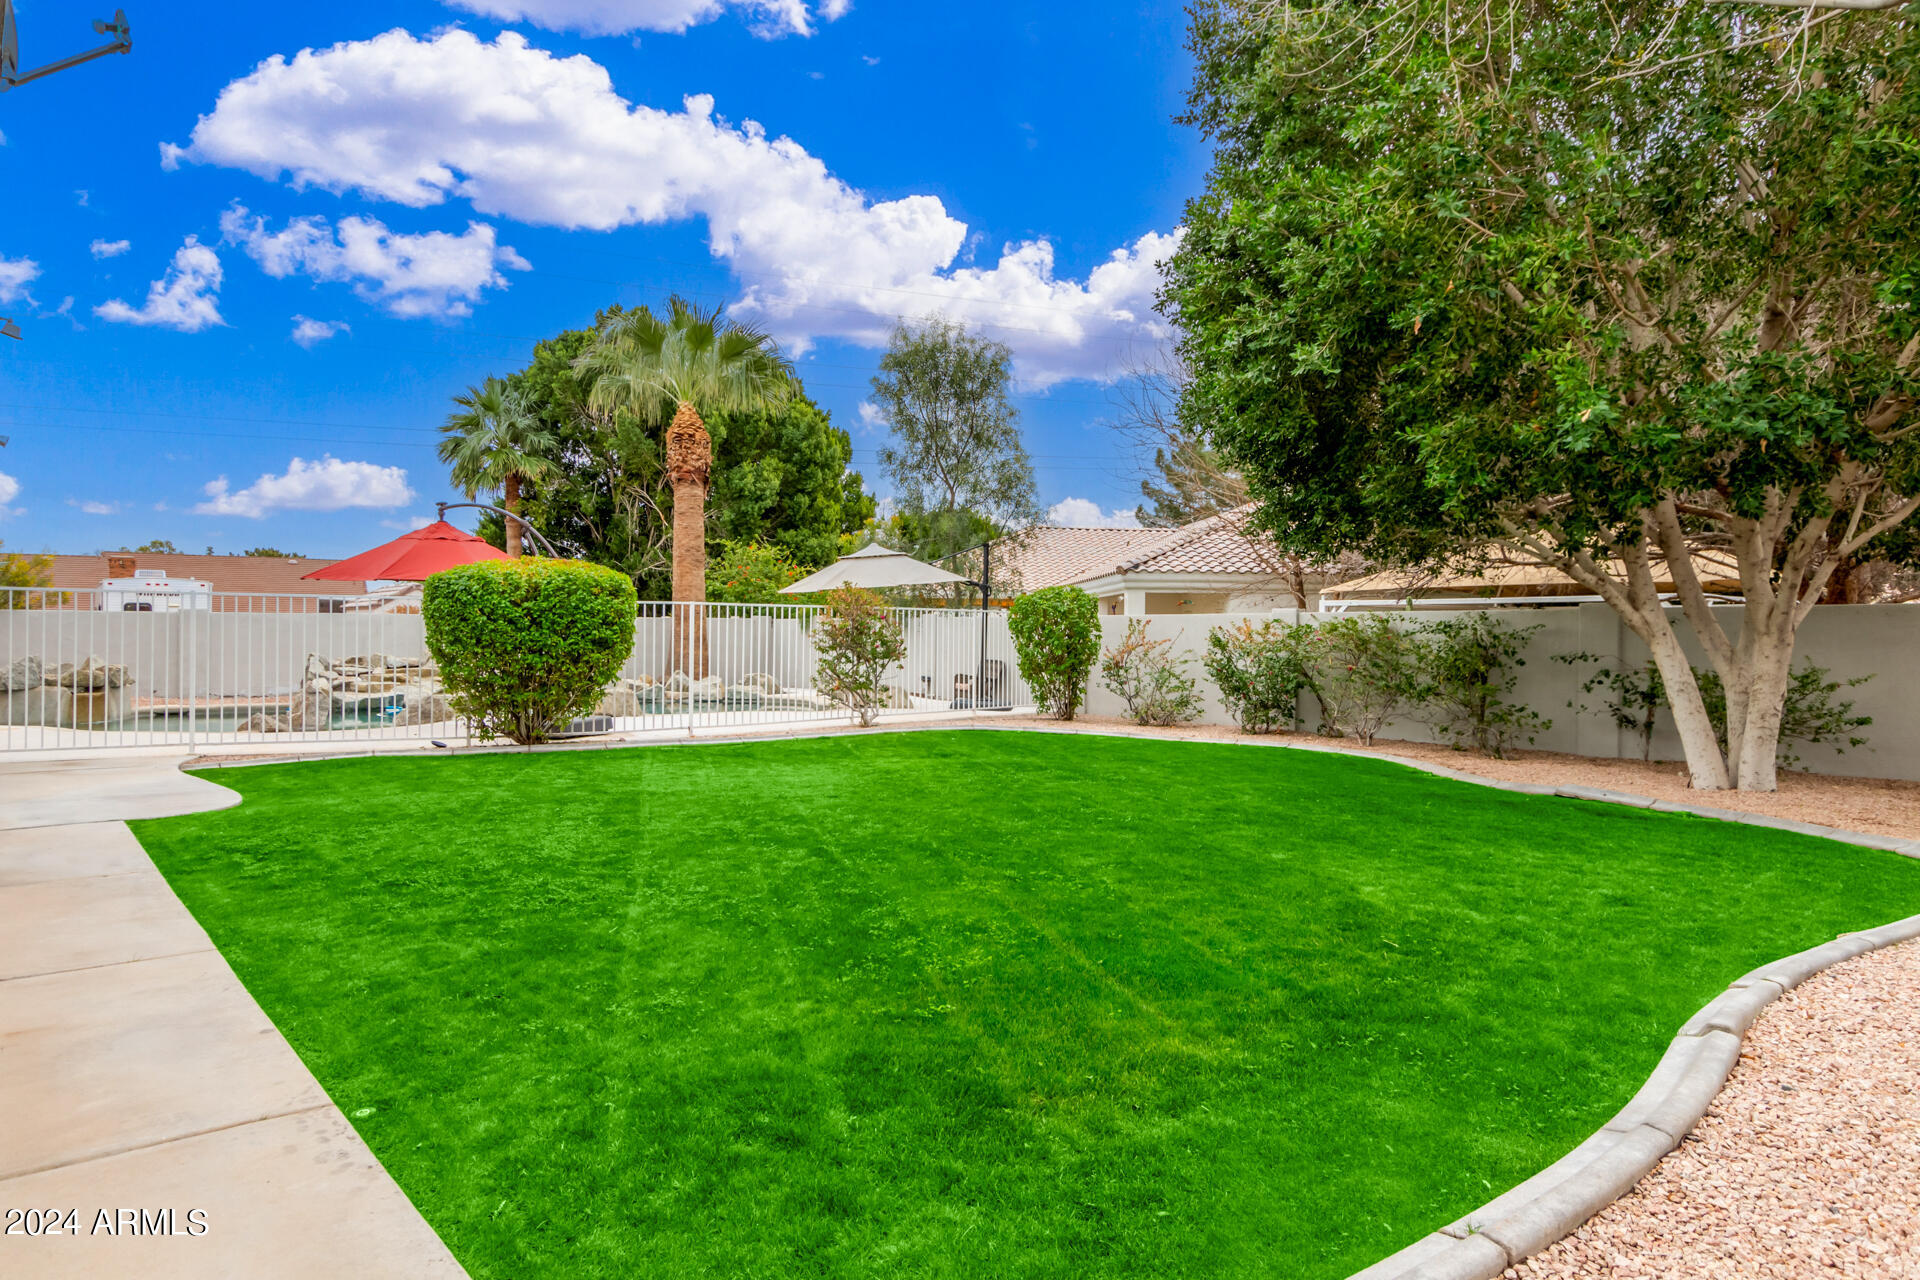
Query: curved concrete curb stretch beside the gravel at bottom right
point(1566, 1195)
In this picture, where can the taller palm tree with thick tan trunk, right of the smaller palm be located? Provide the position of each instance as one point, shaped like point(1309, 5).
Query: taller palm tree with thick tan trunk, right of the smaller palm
point(679, 367)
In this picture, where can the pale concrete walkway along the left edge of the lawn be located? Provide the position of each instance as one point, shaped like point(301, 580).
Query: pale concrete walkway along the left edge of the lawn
point(141, 1087)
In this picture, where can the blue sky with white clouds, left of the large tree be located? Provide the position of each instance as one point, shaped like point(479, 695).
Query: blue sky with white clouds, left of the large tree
point(229, 254)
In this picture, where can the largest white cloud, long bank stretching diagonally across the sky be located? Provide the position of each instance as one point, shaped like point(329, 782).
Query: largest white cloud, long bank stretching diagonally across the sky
point(540, 139)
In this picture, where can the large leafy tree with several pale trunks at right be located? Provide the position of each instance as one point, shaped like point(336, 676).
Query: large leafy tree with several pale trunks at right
point(1598, 283)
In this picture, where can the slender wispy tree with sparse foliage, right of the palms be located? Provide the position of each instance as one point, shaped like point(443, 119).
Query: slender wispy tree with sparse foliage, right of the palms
point(957, 458)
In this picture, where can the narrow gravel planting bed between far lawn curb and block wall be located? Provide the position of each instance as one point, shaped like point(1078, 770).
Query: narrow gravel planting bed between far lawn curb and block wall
point(1852, 803)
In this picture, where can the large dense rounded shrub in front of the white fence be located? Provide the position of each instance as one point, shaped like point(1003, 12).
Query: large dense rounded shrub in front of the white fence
point(527, 646)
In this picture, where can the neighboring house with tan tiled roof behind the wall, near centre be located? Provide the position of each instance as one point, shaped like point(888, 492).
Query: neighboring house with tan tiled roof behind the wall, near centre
point(1211, 567)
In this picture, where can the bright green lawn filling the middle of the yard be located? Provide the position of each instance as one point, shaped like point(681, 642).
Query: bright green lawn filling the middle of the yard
point(976, 1005)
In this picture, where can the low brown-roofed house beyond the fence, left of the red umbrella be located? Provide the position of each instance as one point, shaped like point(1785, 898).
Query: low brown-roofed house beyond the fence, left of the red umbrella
point(241, 584)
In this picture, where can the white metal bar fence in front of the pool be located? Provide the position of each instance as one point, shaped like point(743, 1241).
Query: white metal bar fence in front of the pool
point(283, 669)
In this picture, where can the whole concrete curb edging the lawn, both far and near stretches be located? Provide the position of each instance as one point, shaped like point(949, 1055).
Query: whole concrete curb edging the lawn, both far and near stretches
point(1612, 1162)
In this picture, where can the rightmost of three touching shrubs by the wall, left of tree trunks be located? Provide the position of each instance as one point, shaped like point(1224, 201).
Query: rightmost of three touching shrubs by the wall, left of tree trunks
point(1468, 673)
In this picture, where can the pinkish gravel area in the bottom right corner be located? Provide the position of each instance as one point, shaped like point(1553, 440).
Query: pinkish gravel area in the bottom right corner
point(1810, 1160)
